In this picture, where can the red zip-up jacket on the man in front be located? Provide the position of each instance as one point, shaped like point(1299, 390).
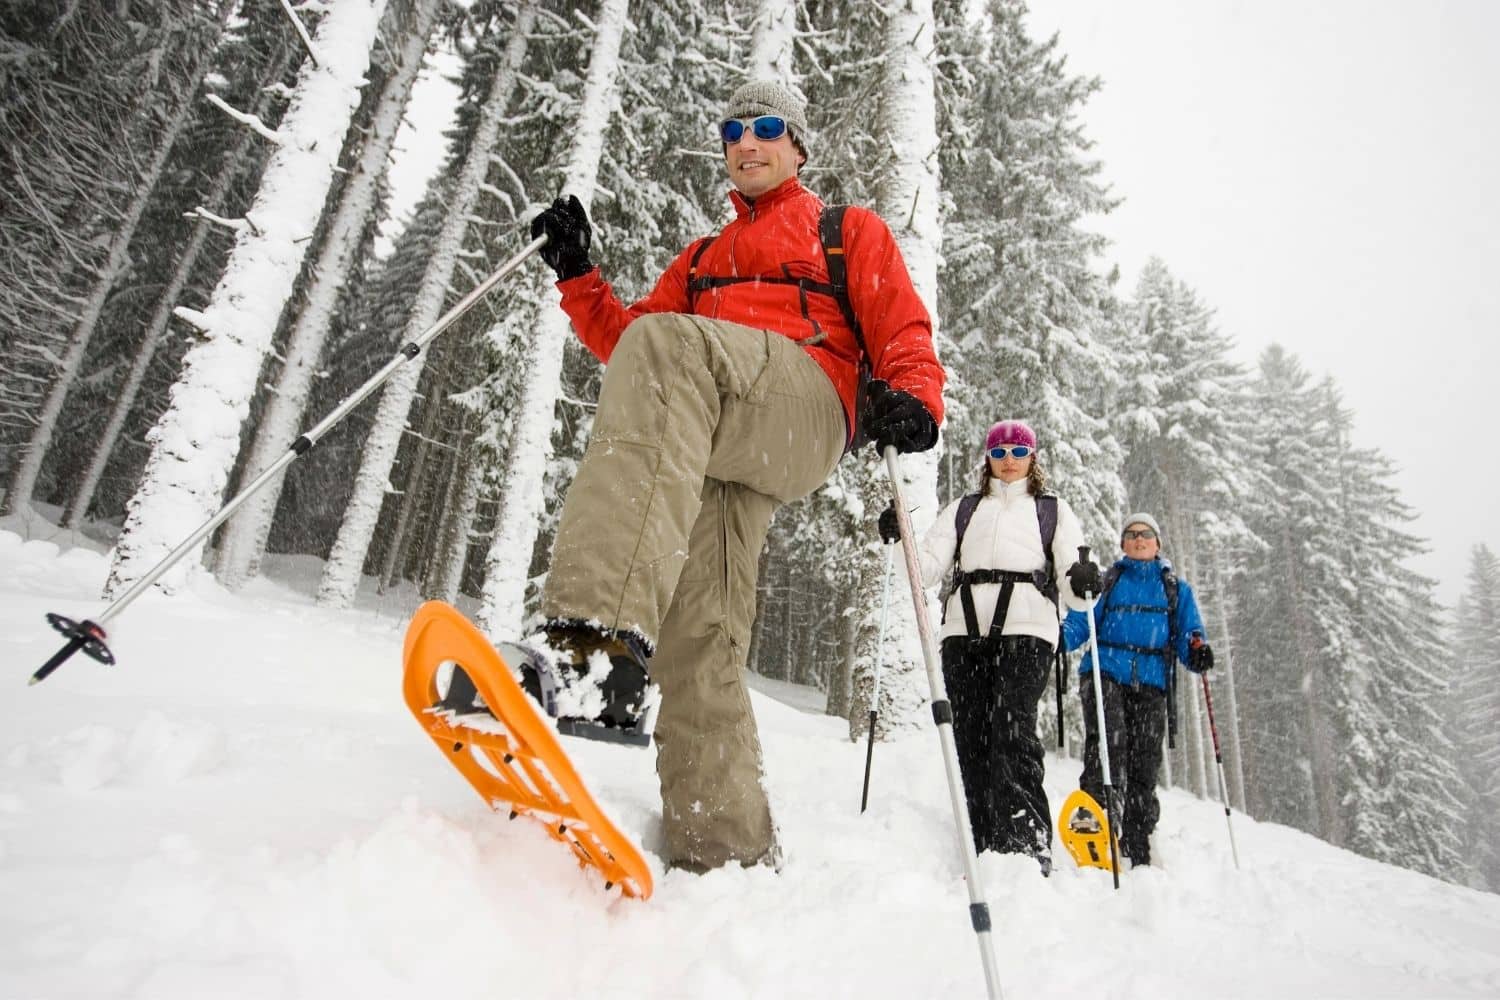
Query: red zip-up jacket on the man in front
point(778, 238)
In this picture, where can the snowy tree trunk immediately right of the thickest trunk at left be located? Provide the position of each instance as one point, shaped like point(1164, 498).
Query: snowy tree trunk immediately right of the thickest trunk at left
point(244, 540)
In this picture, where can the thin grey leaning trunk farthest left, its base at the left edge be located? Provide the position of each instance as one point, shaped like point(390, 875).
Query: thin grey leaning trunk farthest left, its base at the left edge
point(25, 482)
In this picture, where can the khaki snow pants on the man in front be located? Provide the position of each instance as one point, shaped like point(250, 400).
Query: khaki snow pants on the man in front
point(704, 430)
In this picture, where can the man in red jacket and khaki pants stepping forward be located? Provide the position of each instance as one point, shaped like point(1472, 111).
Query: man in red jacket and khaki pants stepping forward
point(730, 391)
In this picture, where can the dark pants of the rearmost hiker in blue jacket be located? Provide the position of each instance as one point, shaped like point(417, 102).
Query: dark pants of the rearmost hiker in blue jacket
point(1136, 719)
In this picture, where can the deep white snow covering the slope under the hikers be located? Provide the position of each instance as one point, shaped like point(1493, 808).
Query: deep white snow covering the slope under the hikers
point(244, 809)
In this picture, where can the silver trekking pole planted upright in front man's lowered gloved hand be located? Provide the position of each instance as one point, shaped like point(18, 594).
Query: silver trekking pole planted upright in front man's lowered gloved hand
point(943, 714)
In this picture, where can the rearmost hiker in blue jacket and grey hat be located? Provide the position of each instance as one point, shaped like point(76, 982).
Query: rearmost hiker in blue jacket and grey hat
point(1141, 642)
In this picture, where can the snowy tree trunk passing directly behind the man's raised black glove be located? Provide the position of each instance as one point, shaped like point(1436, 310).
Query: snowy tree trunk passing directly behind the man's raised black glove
point(521, 493)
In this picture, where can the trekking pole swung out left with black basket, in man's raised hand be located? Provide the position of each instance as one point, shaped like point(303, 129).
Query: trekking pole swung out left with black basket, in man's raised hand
point(91, 636)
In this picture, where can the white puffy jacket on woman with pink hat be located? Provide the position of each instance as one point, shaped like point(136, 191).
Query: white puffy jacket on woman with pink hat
point(1004, 534)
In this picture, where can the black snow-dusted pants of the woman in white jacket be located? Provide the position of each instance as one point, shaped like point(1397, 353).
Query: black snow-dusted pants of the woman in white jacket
point(994, 686)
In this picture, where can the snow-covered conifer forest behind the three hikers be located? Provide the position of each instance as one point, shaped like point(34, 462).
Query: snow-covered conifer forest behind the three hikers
point(193, 275)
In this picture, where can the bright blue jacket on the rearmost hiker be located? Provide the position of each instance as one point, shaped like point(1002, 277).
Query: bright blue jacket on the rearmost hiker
point(1135, 614)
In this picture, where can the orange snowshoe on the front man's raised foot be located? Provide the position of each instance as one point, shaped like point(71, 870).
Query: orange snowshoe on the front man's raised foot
point(506, 749)
